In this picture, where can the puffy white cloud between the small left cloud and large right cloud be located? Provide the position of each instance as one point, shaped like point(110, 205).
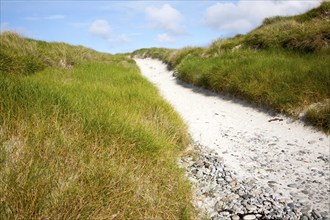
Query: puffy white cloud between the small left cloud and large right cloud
point(166, 18)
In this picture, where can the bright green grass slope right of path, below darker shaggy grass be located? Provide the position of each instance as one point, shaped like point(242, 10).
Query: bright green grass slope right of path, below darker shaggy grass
point(273, 78)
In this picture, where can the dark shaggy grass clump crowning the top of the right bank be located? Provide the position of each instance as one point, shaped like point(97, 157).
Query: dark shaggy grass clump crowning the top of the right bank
point(307, 32)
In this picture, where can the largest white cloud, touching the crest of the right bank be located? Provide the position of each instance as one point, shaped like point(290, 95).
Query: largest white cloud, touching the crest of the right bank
point(241, 17)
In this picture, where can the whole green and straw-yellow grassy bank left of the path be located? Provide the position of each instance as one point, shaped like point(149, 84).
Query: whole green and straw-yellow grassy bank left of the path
point(90, 139)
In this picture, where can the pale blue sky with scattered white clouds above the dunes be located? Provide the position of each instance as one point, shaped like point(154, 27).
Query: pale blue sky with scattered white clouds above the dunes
point(124, 26)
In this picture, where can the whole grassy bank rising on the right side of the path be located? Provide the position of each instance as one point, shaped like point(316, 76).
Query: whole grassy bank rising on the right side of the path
point(283, 64)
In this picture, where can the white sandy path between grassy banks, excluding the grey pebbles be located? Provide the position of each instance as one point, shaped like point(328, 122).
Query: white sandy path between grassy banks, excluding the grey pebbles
point(295, 158)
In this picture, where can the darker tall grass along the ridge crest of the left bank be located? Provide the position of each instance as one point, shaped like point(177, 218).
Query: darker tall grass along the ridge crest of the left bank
point(20, 55)
